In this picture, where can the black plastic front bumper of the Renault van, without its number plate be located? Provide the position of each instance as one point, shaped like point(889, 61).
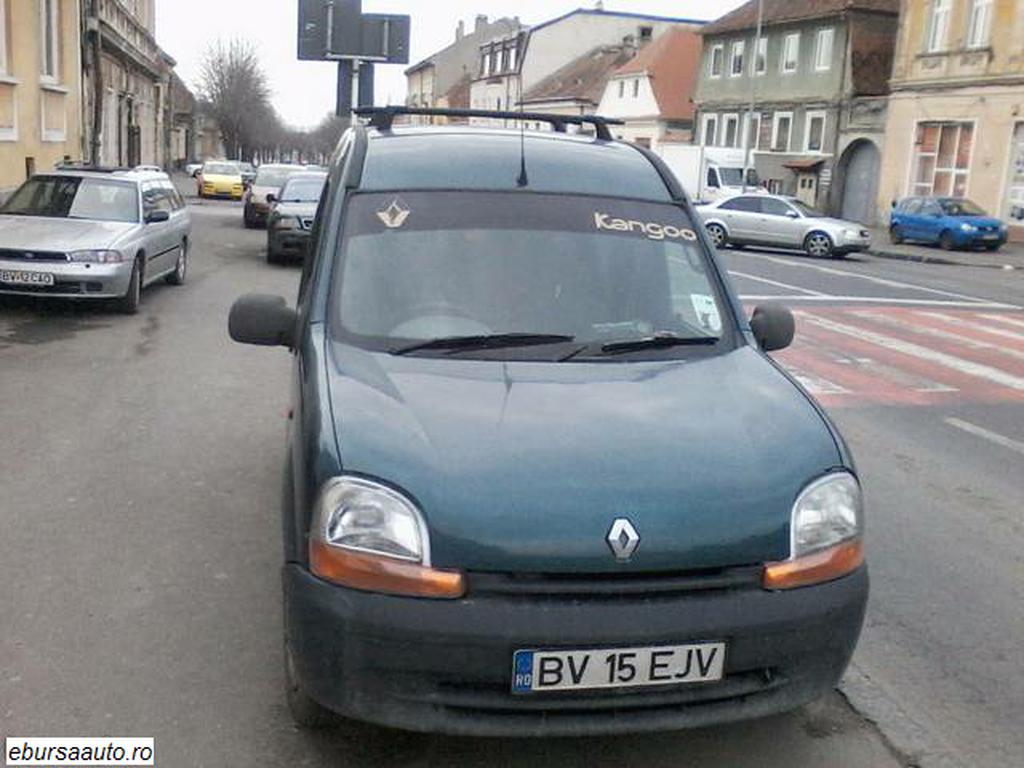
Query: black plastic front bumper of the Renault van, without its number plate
point(446, 666)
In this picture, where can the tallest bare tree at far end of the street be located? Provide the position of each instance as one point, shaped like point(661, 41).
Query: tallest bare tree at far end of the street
point(237, 95)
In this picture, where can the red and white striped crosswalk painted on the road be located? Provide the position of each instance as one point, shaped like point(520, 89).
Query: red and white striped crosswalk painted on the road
point(859, 356)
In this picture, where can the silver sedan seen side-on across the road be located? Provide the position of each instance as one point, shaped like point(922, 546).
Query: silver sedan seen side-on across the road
point(780, 222)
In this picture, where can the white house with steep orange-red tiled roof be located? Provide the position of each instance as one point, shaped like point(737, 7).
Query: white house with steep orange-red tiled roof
point(651, 93)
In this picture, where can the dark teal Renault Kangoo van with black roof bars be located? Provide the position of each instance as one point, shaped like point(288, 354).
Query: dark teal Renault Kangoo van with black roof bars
point(542, 477)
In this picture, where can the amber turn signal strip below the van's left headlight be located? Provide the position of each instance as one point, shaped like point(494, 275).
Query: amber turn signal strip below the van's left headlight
point(377, 574)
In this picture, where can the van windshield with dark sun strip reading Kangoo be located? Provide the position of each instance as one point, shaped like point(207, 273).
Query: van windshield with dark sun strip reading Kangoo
point(431, 267)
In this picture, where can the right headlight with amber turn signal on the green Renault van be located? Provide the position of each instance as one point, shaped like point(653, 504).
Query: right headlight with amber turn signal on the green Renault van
point(826, 535)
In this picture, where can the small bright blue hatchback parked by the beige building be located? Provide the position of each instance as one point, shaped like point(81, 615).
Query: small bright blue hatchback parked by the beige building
point(951, 223)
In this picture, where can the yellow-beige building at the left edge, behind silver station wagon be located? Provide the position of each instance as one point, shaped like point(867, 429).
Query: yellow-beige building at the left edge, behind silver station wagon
point(40, 88)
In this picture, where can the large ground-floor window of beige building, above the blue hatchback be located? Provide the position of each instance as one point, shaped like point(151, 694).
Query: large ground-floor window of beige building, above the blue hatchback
point(943, 159)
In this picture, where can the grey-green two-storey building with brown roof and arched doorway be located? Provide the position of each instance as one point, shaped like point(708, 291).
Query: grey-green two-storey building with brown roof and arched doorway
point(818, 78)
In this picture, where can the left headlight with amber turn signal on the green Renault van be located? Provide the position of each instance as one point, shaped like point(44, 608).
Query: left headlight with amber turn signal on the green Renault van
point(370, 537)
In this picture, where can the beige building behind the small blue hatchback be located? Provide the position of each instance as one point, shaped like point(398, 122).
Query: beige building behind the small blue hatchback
point(957, 112)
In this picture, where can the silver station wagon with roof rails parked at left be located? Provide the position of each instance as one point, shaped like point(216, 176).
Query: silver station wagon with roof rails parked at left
point(94, 235)
